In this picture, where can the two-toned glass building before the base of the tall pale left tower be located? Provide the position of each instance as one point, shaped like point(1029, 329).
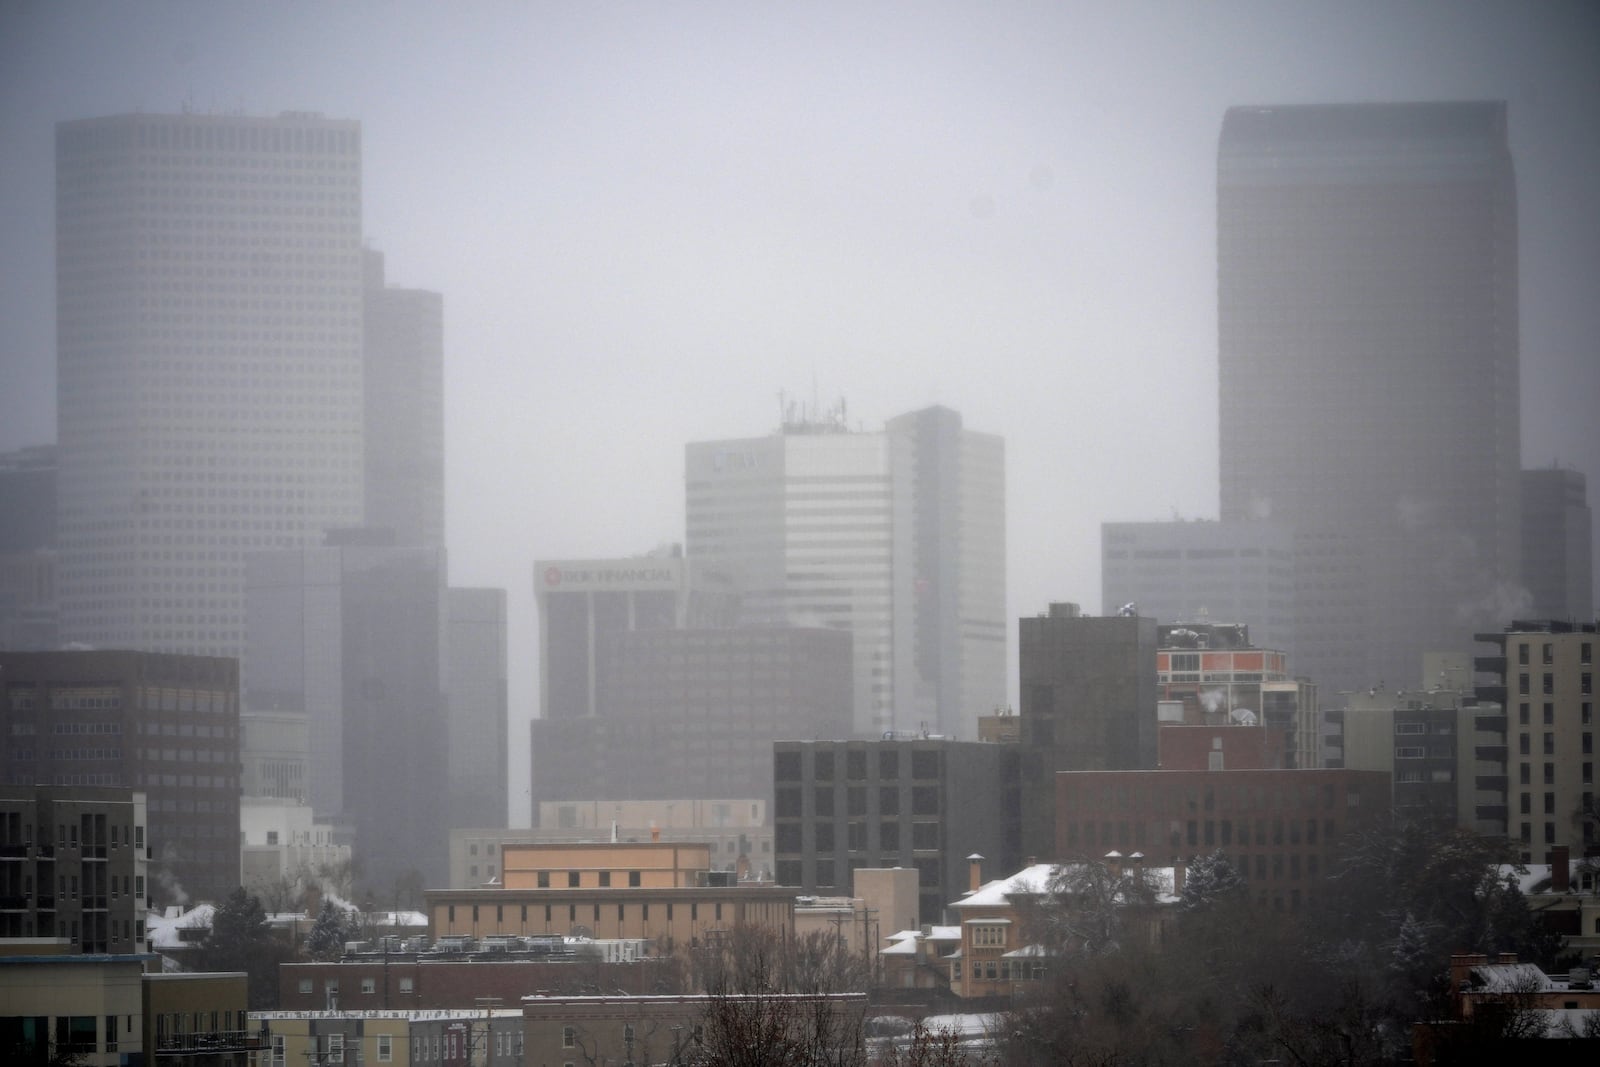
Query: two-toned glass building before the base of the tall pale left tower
point(354, 637)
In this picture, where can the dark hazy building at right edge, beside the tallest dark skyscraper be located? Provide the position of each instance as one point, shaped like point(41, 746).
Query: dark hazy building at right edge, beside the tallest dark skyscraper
point(1558, 530)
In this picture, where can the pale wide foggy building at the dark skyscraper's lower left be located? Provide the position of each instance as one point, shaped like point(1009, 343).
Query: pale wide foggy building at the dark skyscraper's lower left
point(1201, 572)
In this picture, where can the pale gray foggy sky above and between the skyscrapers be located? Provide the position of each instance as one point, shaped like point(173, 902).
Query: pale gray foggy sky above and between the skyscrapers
point(649, 220)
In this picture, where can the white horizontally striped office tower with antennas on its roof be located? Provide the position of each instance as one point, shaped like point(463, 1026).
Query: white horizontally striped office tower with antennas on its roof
point(897, 537)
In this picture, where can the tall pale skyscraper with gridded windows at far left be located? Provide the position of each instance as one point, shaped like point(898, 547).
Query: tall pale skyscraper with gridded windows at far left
point(210, 348)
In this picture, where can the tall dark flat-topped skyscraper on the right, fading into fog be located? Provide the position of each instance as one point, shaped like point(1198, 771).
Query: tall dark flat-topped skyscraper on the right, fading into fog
point(1367, 281)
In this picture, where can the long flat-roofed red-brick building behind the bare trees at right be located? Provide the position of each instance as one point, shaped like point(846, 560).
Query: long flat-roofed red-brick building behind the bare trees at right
point(1281, 828)
